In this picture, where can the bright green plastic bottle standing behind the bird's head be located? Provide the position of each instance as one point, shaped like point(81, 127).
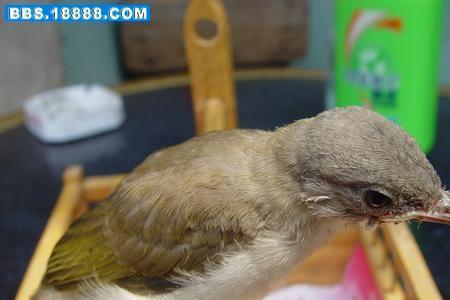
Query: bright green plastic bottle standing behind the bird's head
point(387, 59)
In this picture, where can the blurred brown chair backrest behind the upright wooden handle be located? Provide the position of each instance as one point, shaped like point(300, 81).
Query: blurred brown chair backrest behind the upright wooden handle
point(265, 32)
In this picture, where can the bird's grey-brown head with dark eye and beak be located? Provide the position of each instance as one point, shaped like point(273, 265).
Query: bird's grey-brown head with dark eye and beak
point(354, 164)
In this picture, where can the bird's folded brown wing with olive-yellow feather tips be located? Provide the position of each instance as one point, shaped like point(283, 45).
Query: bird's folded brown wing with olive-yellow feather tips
point(160, 220)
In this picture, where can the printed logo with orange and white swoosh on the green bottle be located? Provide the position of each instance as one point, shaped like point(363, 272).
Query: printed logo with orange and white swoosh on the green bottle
point(370, 68)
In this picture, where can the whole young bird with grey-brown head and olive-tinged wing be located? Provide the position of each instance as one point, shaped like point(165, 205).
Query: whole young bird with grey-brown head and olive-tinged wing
point(225, 215)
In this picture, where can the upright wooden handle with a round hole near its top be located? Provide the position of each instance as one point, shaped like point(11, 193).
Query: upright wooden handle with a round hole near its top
point(210, 66)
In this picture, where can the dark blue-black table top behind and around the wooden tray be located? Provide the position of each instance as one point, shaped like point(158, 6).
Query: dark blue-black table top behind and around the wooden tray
point(31, 171)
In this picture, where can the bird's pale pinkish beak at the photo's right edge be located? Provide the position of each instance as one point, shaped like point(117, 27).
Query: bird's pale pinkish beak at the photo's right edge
point(440, 213)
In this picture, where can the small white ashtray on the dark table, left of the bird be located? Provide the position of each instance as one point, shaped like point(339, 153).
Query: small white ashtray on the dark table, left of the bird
point(72, 113)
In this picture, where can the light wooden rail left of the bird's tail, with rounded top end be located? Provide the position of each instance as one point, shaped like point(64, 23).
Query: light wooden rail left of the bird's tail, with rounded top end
point(60, 219)
